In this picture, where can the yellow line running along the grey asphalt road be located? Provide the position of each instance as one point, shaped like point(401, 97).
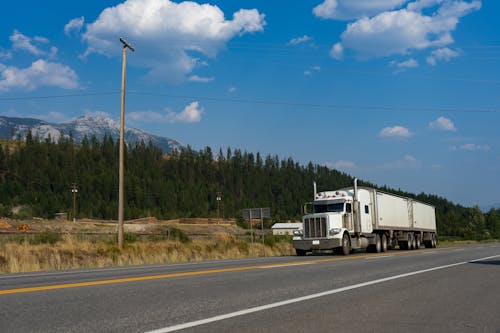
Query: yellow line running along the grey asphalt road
point(192, 273)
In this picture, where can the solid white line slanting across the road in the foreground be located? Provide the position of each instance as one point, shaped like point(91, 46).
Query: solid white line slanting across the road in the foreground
point(306, 298)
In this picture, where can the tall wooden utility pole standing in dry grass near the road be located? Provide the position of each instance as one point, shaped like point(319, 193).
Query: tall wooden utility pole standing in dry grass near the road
point(122, 139)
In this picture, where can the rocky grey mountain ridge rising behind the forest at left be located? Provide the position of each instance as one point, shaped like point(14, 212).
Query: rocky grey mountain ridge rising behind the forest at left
point(98, 126)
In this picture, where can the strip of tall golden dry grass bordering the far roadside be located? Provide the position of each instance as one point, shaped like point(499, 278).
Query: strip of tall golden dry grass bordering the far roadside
point(70, 253)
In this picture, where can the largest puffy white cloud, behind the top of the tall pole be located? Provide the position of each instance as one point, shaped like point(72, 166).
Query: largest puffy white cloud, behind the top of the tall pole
point(167, 34)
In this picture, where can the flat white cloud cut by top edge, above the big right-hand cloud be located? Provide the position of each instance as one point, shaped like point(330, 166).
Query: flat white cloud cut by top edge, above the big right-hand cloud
point(349, 9)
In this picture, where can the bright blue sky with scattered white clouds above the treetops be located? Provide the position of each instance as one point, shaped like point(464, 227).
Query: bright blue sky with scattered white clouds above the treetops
point(403, 93)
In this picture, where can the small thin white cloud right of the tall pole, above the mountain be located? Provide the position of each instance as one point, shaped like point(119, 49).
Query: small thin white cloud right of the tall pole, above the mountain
point(192, 113)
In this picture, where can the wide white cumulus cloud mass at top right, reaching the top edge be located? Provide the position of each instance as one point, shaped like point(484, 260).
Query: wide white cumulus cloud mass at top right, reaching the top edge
point(385, 28)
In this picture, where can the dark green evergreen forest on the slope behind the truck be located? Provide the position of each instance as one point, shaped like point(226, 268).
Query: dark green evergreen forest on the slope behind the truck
point(36, 178)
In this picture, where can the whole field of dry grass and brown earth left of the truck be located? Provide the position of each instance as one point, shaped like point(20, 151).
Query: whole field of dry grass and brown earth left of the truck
point(43, 245)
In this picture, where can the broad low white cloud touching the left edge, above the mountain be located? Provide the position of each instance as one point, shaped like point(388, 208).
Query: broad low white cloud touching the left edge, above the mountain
point(40, 73)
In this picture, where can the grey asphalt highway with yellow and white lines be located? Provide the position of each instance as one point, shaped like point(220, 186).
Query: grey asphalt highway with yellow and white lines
point(448, 289)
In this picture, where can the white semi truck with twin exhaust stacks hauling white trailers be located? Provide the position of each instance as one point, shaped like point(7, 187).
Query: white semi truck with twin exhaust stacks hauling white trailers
point(364, 218)
